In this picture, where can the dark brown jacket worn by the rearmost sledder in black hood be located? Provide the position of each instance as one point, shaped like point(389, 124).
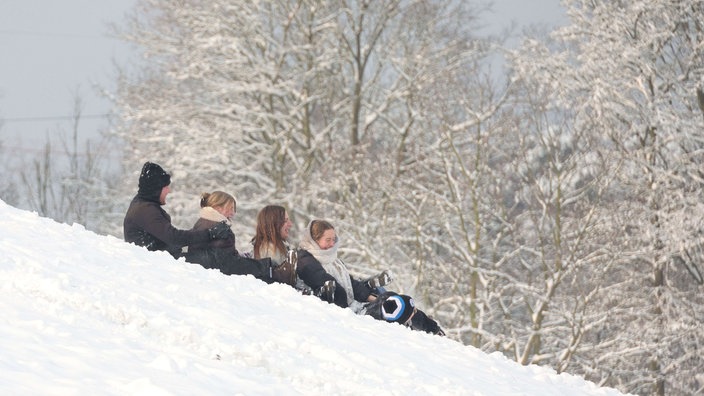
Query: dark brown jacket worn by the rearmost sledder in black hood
point(147, 224)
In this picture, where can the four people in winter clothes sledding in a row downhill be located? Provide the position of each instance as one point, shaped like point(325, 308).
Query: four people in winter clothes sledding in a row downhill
point(312, 268)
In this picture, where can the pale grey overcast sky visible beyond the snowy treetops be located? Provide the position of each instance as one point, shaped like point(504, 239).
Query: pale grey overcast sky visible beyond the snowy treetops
point(50, 51)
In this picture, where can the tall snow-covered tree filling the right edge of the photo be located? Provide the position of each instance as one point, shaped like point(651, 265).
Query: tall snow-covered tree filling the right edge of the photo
point(632, 74)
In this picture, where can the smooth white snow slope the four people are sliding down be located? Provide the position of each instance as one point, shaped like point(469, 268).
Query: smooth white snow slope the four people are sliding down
point(89, 314)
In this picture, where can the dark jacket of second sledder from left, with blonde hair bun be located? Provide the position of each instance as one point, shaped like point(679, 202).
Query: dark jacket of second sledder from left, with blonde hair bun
point(222, 255)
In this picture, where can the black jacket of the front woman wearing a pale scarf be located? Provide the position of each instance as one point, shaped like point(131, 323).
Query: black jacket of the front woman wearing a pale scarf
point(314, 275)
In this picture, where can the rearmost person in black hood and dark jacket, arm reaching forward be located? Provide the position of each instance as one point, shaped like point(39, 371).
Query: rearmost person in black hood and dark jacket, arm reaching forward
point(147, 224)
